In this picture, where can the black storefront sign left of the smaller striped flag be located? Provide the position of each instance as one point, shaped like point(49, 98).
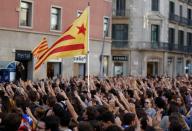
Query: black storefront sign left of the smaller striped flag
point(22, 55)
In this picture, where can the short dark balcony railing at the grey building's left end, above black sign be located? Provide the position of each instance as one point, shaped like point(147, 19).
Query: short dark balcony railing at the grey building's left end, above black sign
point(120, 44)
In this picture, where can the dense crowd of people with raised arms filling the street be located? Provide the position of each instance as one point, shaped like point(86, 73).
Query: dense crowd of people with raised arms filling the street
point(112, 104)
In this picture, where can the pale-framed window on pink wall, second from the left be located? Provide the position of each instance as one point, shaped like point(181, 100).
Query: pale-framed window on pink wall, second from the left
point(55, 18)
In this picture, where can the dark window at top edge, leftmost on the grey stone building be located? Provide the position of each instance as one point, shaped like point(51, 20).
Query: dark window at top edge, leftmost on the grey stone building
point(120, 7)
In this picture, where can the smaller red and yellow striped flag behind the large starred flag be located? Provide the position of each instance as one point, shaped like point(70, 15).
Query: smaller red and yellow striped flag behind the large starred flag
point(41, 48)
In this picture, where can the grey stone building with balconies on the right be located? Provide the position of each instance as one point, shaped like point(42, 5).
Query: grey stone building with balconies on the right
point(151, 37)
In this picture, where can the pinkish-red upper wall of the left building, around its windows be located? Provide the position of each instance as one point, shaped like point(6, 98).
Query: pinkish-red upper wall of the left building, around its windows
point(9, 14)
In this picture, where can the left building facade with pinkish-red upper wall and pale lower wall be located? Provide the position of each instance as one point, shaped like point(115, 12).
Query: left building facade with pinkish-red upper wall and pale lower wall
point(24, 23)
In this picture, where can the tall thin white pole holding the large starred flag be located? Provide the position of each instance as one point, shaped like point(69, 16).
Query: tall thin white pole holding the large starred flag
point(88, 71)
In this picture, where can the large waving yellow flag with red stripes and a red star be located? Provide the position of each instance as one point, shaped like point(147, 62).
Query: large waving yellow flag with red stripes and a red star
point(73, 42)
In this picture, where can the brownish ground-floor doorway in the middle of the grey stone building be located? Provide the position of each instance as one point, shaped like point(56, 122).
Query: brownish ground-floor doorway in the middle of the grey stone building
point(152, 68)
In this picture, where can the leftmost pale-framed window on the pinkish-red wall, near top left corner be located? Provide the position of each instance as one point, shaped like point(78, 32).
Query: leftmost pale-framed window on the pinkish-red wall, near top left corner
point(26, 14)
